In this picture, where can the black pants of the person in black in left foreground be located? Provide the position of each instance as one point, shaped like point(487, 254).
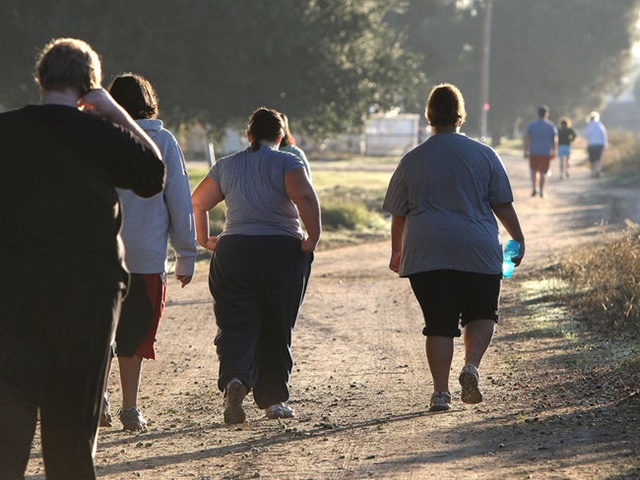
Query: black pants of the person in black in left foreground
point(54, 348)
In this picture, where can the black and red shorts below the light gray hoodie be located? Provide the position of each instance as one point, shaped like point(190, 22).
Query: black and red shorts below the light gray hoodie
point(140, 317)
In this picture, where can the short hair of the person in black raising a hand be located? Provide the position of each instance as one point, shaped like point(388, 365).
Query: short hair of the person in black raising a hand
point(68, 63)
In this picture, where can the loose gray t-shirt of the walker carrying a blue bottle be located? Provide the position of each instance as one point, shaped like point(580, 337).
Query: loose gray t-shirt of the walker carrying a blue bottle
point(445, 187)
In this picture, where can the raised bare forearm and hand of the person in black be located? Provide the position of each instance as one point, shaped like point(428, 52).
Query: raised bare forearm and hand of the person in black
point(100, 103)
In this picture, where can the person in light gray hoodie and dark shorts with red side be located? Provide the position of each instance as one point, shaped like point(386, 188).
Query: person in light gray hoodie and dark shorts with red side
point(148, 225)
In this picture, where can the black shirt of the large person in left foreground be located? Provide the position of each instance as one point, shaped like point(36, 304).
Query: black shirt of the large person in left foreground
point(59, 210)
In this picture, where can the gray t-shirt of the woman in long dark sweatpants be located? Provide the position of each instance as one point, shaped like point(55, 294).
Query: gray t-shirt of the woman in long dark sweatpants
point(253, 187)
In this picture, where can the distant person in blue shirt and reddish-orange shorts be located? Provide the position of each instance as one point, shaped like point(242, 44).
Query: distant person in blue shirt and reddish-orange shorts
point(540, 142)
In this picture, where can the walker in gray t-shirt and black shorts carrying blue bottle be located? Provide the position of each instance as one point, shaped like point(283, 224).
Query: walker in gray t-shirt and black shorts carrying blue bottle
point(444, 197)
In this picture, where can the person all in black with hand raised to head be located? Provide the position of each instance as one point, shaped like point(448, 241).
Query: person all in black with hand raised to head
point(64, 277)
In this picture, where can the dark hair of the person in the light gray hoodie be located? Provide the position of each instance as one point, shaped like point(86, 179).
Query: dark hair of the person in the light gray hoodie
point(135, 94)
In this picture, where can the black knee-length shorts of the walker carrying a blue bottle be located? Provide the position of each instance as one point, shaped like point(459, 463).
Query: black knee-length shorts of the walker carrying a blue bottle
point(450, 298)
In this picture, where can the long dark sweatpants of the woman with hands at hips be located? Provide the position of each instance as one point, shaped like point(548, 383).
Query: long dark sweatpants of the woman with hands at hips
point(258, 284)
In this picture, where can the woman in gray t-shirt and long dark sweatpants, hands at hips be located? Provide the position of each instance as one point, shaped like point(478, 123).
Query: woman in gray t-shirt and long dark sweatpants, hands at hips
point(260, 266)
